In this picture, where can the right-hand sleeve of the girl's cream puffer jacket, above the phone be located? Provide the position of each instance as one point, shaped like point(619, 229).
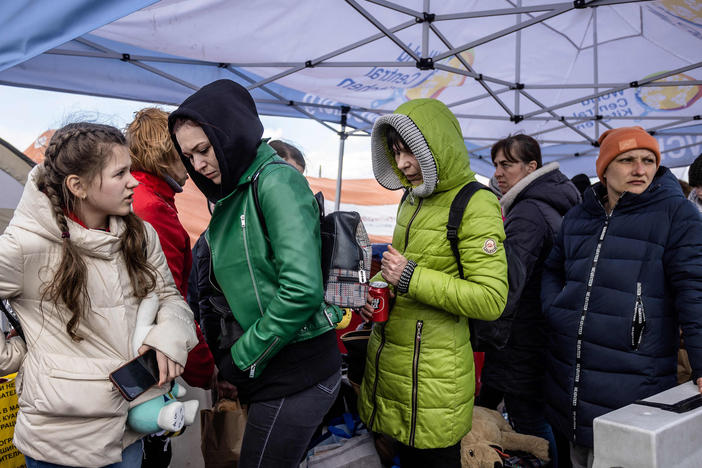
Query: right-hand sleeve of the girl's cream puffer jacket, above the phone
point(174, 332)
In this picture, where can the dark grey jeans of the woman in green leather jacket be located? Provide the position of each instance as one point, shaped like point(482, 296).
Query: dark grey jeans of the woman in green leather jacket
point(278, 431)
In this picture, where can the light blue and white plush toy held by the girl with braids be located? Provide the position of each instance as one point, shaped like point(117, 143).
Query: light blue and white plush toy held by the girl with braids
point(163, 414)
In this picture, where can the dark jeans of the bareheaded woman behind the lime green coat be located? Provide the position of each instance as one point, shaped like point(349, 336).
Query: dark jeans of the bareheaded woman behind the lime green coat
point(526, 415)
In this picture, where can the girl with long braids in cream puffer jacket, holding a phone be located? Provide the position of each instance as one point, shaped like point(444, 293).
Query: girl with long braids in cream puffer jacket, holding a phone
point(75, 263)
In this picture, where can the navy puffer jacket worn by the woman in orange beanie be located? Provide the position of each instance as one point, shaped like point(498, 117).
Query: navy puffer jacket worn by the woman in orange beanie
point(604, 274)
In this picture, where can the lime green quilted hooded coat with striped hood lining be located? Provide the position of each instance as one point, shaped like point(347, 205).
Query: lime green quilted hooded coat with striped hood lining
point(419, 379)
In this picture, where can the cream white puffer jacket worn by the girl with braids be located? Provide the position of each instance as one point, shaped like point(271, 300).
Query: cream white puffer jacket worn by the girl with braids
point(69, 411)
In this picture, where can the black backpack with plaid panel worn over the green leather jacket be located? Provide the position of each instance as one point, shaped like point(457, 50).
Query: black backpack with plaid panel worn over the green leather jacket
point(346, 251)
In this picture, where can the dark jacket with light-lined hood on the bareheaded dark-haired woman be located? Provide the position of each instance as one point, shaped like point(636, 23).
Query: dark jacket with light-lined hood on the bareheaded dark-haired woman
point(533, 211)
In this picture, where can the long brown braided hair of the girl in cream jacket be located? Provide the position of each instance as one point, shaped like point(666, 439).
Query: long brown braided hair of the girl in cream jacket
point(83, 149)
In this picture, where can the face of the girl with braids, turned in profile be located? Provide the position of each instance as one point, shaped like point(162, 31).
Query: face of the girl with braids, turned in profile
point(111, 192)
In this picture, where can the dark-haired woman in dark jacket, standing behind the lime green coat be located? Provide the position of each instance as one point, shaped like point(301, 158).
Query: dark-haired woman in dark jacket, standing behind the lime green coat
point(534, 200)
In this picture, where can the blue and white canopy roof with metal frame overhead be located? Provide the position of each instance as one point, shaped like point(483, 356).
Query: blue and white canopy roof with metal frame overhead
point(562, 72)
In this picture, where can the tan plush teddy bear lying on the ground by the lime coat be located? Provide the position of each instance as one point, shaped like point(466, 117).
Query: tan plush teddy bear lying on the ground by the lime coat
point(490, 433)
